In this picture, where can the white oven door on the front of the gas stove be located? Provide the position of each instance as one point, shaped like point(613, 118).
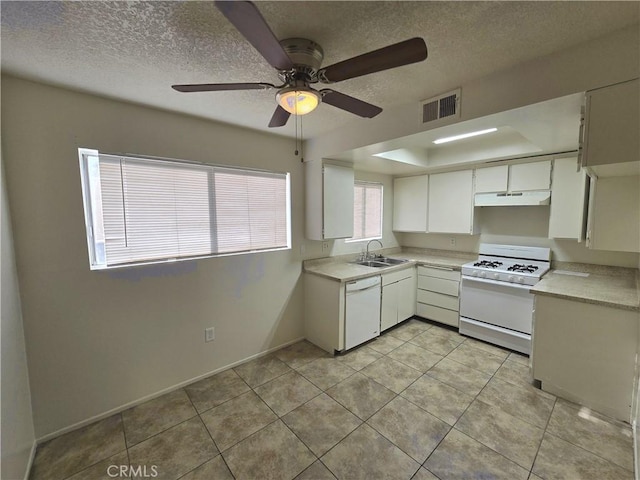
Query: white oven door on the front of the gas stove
point(503, 304)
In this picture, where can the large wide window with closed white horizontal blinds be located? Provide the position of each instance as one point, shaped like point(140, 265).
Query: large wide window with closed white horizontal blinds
point(141, 210)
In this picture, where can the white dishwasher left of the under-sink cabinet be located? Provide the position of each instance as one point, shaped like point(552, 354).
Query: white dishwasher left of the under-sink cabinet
point(362, 311)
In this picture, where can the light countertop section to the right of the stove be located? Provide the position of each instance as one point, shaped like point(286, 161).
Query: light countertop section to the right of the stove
point(607, 286)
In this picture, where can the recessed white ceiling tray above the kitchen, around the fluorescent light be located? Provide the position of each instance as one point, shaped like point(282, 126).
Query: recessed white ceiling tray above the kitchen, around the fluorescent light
point(547, 127)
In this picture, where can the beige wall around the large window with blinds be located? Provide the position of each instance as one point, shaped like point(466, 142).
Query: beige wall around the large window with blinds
point(99, 340)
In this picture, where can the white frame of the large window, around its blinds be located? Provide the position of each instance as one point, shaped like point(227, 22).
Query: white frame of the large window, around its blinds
point(91, 188)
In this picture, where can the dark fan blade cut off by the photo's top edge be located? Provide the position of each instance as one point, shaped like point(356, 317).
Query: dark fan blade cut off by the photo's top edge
point(246, 17)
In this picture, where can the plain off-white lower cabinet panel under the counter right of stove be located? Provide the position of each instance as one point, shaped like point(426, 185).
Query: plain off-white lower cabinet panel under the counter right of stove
point(586, 353)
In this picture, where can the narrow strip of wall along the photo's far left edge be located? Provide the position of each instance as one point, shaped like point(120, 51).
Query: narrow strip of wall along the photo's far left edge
point(17, 423)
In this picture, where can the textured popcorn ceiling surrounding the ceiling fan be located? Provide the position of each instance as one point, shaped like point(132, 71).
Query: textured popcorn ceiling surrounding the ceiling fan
point(134, 51)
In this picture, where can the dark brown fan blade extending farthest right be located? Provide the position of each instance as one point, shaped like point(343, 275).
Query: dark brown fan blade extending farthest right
point(396, 55)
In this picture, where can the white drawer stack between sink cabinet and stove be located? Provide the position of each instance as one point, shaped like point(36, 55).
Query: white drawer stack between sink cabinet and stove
point(438, 294)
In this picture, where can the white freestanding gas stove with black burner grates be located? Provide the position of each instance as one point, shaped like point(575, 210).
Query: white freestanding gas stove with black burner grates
point(495, 303)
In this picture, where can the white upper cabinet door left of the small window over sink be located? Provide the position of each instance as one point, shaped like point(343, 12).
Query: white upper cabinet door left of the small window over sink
point(337, 201)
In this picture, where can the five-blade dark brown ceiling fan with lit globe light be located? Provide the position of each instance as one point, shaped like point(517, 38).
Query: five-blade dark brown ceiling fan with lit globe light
point(298, 61)
